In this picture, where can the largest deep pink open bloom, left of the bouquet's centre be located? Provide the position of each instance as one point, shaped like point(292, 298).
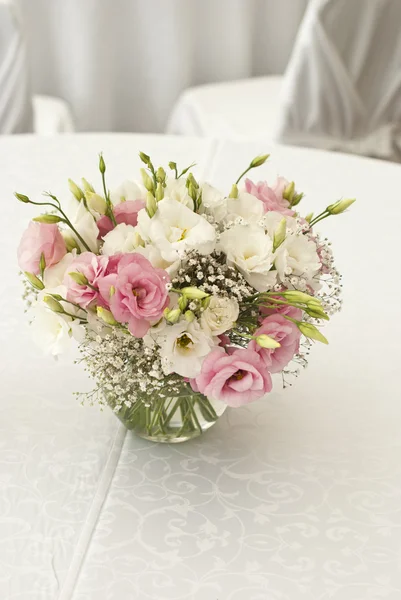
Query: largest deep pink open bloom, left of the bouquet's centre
point(140, 293)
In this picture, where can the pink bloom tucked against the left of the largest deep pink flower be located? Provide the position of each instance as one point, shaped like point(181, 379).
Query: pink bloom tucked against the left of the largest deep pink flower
point(94, 268)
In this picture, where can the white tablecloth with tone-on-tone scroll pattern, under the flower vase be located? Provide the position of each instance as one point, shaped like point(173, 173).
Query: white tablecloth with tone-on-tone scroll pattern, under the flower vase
point(295, 497)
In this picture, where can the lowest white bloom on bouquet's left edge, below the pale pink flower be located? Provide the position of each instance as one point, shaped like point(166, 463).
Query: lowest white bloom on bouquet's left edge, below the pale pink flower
point(53, 331)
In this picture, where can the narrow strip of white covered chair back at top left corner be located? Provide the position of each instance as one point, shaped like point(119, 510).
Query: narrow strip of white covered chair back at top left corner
point(15, 99)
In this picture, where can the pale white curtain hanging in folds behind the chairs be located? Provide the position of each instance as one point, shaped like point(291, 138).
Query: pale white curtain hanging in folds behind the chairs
point(121, 64)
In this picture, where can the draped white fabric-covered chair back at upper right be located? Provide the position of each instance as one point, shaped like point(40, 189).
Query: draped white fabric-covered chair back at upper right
point(343, 83)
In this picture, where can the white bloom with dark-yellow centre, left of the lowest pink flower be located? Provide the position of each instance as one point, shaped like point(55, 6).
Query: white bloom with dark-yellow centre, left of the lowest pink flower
point(183, 347)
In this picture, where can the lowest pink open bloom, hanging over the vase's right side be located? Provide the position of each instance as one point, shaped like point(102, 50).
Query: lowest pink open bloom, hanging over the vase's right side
point(236, 379)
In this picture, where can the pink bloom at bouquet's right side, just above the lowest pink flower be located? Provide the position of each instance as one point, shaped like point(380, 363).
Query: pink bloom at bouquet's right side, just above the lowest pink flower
point(284, 332)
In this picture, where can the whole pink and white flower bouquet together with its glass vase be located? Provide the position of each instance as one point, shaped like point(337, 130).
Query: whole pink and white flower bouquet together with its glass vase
point(183, 300)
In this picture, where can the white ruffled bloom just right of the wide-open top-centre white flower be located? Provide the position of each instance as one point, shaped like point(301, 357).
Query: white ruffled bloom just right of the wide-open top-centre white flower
point(250, 250)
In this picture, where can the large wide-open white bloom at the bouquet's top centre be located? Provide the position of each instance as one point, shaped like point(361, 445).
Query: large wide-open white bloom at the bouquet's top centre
point(175, 229)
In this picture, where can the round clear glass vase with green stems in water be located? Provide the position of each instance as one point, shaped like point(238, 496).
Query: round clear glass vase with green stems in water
point(171, 419)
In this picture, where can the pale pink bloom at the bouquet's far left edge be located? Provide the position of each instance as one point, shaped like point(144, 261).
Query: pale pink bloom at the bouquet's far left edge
point(38, 239)
